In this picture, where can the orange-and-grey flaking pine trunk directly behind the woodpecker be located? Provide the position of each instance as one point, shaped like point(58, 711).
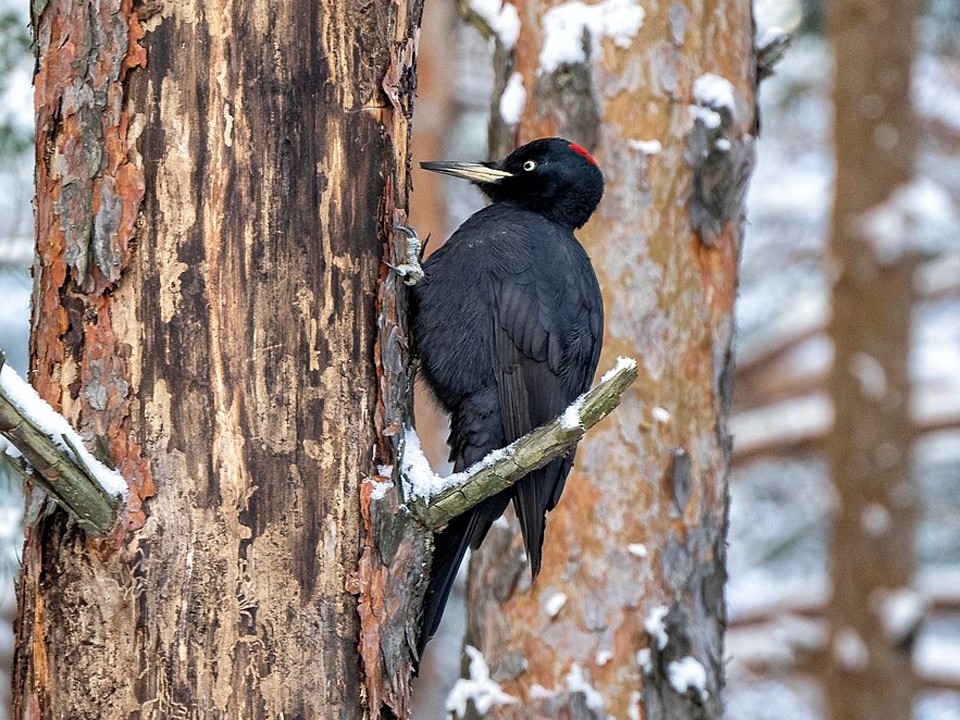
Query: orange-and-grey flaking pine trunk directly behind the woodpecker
point(627, 616)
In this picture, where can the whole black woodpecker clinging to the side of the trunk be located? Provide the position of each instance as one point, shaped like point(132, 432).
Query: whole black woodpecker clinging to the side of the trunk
point(508, 323)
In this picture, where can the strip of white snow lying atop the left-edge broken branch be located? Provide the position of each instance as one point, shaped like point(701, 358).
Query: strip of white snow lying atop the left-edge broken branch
point(52, 423)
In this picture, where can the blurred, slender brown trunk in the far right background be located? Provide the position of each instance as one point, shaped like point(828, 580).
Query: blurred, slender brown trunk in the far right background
point(869, 673)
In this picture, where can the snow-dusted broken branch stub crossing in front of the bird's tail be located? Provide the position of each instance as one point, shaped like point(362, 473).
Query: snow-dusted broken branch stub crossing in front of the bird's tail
point(436, 501)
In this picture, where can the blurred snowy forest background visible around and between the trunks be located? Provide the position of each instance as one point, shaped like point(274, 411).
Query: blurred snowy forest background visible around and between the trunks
point(782, 500)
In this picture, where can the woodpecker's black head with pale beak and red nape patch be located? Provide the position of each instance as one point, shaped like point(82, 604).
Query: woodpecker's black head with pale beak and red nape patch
point(550, 176)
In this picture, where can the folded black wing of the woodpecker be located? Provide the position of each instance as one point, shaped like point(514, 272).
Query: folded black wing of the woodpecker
point(548, 322)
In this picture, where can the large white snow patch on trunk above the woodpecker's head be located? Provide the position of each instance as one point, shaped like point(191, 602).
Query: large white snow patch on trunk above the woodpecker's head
point(564, 27)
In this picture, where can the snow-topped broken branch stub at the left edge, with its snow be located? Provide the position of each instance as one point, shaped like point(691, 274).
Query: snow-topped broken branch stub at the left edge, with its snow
point(48, 452)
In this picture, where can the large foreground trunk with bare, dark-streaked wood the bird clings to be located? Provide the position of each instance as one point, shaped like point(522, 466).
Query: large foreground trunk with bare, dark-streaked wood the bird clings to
point(215, 185)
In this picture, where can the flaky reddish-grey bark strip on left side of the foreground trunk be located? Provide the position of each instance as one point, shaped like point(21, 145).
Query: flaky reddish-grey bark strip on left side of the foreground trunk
point(89, 190)
